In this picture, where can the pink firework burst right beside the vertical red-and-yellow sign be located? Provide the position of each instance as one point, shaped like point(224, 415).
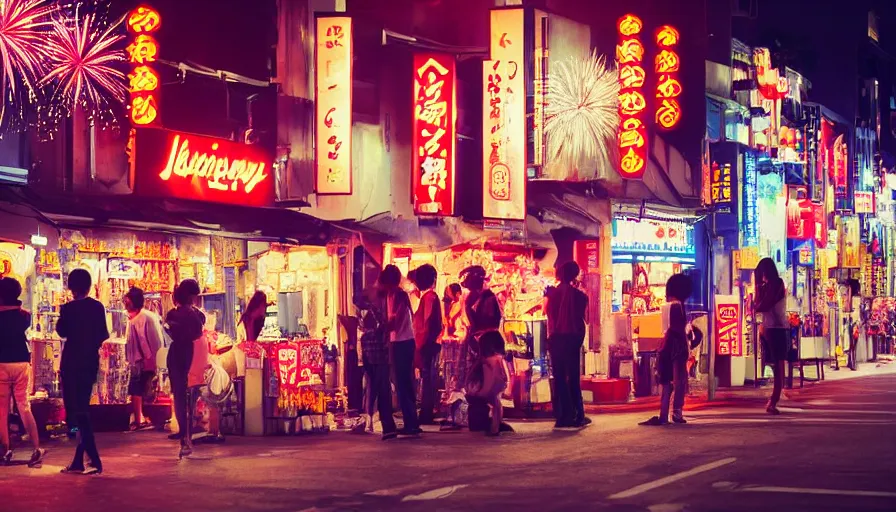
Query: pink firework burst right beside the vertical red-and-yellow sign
point(83, 59)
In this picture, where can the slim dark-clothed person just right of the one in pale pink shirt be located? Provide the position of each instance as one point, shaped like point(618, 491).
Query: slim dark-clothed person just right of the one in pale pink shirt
point(184, 324)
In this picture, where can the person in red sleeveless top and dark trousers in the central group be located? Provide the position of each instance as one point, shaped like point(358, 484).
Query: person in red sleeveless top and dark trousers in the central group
point(427, 329)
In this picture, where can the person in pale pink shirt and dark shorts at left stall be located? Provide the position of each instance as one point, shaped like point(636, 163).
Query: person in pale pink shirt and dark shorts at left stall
point(144, 339)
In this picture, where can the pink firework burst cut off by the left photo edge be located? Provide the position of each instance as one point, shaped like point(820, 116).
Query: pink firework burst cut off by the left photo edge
point(23, 26)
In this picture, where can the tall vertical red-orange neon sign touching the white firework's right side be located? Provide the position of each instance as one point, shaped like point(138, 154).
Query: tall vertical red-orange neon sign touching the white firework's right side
point(632, 136)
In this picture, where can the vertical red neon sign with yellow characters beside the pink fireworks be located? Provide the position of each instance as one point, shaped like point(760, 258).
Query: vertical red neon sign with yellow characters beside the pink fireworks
point(144, 83)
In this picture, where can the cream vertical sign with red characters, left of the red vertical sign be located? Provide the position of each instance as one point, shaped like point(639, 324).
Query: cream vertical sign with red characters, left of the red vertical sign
point(333, 114)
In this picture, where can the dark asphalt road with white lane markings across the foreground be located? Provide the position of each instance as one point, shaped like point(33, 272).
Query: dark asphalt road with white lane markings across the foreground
point(833, 448)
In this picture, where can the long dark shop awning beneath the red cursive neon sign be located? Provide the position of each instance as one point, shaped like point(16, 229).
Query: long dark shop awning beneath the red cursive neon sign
point(172, 215)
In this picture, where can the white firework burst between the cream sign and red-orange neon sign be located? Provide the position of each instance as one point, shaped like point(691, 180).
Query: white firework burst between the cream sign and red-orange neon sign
point(581, 114)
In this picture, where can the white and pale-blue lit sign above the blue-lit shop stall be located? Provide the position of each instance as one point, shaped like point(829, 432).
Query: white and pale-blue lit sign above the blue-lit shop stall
point(664, 239)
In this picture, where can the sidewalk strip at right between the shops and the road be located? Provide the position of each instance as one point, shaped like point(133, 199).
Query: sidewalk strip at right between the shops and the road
point(747, 395)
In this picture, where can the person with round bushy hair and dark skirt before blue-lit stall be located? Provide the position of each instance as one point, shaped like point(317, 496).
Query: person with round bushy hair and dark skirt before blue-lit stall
point(672, 359)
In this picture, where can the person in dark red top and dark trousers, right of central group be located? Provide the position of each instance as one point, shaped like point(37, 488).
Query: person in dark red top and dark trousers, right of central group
point(566, 308)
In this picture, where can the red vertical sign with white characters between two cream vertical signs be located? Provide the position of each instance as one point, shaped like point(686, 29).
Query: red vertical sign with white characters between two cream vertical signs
point(434, 134)
